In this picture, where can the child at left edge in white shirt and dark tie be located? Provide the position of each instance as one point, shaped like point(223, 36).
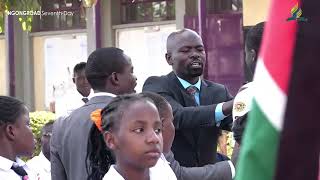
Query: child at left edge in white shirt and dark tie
point(16, 140)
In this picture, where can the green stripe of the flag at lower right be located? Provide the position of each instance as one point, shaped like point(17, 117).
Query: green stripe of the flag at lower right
point(259, 148)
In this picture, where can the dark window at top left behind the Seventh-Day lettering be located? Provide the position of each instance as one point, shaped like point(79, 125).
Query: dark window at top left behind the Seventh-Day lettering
point(61, 15)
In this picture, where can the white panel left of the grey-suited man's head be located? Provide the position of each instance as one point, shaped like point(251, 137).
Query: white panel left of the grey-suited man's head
point(61, 54)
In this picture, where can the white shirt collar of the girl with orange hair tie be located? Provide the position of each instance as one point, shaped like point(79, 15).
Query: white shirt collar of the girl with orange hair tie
point(161, 171)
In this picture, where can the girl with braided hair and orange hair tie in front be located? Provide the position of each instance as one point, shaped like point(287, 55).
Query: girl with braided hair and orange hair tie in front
point(125, 140)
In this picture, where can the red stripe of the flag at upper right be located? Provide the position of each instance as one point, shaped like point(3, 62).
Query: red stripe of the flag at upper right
point(278, 42)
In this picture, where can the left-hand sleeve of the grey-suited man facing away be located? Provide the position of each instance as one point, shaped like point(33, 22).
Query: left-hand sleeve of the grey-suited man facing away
point(57, 168)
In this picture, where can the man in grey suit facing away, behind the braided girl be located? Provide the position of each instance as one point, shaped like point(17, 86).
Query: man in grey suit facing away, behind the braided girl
point(109, 72)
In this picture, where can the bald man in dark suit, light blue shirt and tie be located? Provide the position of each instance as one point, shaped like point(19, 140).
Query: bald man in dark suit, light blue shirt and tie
point(200, 107)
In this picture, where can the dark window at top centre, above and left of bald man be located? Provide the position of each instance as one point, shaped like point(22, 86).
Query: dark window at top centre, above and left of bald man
point(135, 11)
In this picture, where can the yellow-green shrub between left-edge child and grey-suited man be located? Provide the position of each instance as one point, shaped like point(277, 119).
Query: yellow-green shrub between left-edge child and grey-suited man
point(37, 120)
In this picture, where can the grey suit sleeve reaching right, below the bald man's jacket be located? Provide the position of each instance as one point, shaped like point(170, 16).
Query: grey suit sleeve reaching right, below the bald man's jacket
point(218, 171)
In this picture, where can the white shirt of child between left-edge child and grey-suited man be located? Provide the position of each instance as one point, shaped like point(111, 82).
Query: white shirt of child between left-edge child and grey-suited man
point(41, 165)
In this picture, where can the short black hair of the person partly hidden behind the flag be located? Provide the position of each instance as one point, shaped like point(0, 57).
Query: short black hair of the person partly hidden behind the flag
point(254, 37)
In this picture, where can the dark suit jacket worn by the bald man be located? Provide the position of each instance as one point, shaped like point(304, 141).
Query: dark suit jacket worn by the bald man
point(195, 142)
